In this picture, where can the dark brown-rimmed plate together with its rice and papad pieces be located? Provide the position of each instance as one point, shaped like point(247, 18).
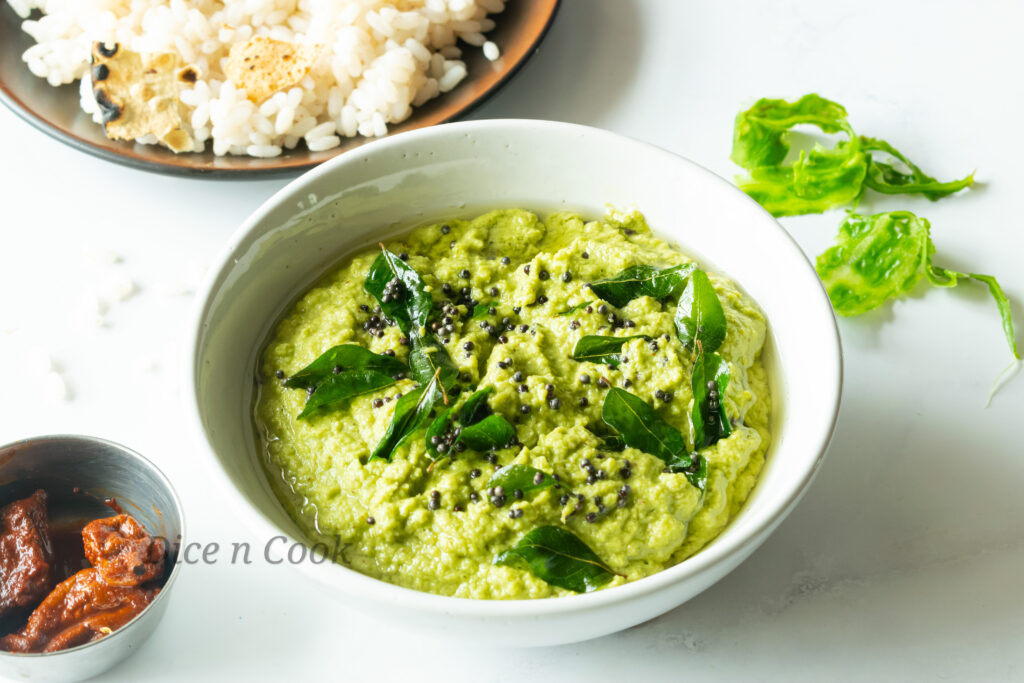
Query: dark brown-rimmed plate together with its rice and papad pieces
point(243, 88)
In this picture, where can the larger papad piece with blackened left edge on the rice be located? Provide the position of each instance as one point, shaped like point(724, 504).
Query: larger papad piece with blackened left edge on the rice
point(138, 96)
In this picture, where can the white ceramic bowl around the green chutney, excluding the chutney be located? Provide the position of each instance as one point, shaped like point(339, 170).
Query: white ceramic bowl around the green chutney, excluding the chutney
point(460, 170)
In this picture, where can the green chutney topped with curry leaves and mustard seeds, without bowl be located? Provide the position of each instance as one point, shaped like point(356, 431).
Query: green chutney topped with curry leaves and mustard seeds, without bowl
point(520, 315)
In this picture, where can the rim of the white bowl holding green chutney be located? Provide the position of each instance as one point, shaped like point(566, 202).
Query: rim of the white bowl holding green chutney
point(370, 589)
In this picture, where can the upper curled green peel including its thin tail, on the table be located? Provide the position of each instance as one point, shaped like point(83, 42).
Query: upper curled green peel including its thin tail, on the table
point(821, 179)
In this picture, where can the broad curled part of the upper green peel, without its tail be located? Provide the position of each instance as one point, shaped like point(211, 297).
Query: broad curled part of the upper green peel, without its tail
point(820, 180)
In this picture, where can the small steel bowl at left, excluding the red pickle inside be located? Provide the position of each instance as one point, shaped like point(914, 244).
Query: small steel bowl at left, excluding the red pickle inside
point(78, 475)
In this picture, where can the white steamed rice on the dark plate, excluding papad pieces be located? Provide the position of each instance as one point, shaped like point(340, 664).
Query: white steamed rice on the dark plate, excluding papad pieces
point(381, 59)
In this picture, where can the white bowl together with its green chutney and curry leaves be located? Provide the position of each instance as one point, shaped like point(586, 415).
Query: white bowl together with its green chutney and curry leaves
point(281, 333)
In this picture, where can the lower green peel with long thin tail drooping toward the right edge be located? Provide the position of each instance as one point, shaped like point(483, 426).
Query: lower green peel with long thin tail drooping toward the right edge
point(883, 257)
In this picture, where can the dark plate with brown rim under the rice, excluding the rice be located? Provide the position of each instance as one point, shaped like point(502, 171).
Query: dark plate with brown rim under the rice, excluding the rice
point(56, 111)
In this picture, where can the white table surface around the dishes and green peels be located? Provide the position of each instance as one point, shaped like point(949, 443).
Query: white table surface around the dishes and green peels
point(906, 561)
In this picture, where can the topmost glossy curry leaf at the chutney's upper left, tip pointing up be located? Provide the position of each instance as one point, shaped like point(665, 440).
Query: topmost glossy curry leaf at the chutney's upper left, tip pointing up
point(400, 291)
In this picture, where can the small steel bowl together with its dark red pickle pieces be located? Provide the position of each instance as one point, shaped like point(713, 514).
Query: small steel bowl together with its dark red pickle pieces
point(107, 527)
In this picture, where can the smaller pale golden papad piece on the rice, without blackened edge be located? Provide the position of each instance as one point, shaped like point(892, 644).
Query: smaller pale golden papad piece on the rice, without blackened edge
point(264, 66)
